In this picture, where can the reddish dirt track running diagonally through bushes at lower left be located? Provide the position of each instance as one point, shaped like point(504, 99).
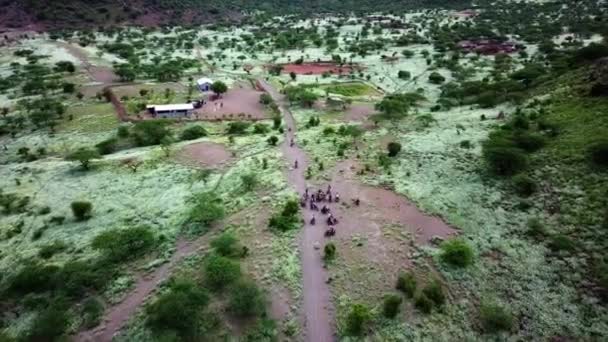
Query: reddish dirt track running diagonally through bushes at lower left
point(116, 317)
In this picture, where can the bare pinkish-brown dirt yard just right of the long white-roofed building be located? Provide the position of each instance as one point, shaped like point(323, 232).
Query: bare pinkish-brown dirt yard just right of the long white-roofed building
point(238, 103)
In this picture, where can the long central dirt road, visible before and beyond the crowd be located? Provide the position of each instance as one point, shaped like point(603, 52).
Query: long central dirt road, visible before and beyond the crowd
point(319, 325)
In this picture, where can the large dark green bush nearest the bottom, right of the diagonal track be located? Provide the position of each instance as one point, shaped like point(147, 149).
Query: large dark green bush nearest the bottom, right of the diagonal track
point(179, 310)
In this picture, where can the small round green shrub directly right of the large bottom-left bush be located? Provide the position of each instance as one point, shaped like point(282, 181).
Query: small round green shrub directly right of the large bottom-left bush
point(246, 299)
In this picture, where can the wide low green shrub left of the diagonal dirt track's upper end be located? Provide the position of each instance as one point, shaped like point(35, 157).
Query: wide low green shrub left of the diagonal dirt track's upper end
point(124, 244)
